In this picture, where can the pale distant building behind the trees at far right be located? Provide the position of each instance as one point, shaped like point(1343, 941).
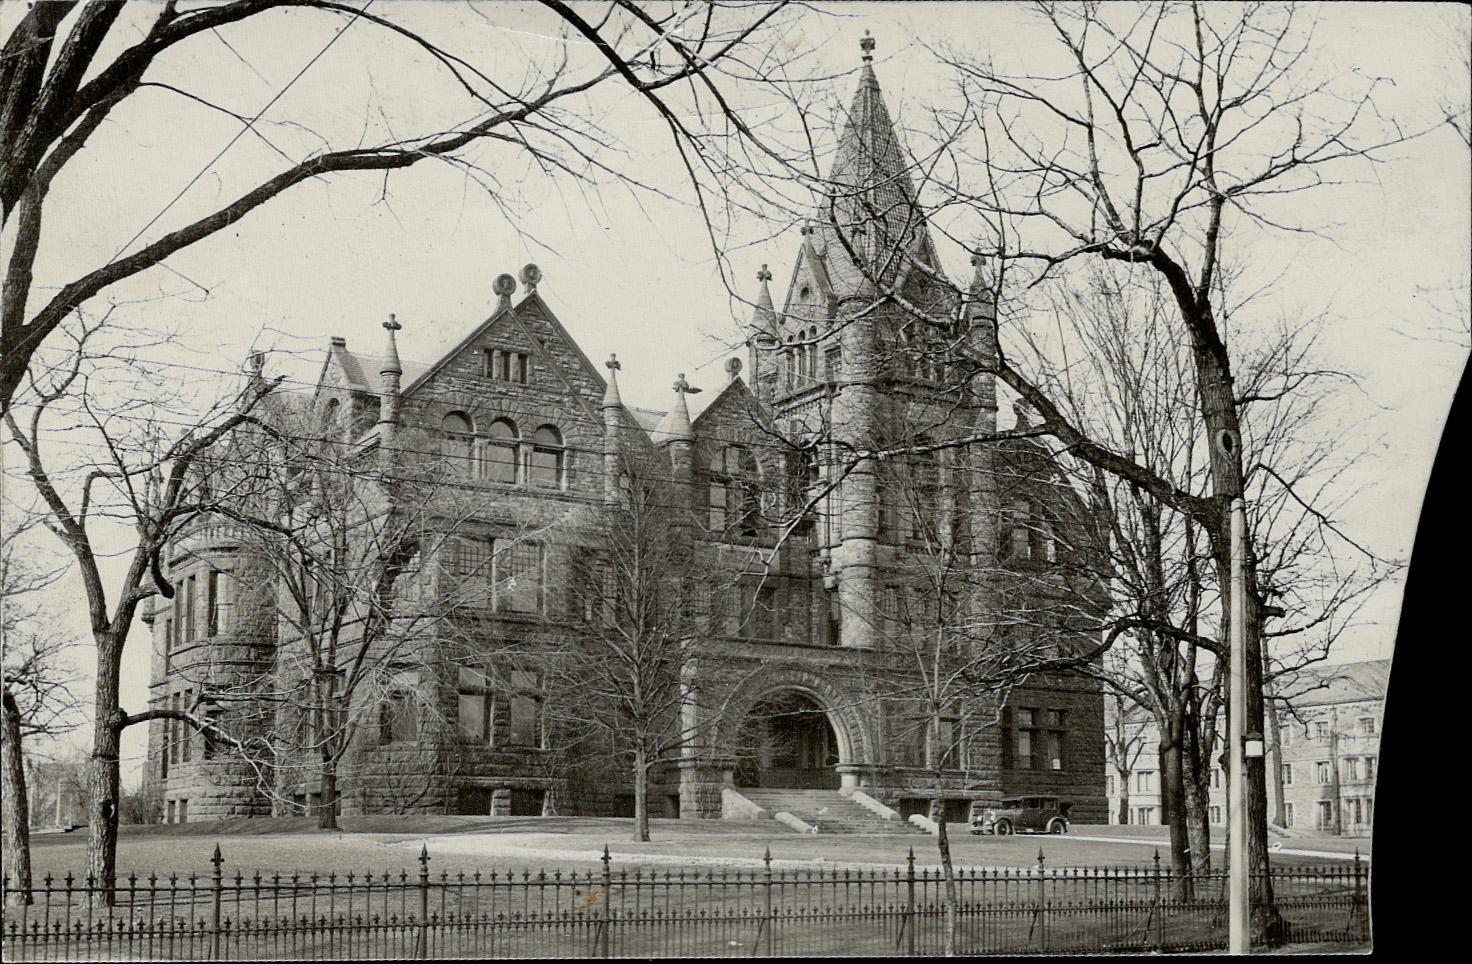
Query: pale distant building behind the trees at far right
point(1327, 751)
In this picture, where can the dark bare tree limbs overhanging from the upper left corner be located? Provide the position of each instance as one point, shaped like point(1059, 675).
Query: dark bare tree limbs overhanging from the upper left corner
point(64, 76)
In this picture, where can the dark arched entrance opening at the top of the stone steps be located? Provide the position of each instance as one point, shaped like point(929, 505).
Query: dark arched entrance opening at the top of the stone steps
point(788, 741)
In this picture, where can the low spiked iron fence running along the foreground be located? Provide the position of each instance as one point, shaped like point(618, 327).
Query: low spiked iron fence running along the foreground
point(622, 913)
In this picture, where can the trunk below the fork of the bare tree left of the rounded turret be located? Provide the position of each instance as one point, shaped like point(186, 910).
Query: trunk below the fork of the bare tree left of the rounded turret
point(104, 779)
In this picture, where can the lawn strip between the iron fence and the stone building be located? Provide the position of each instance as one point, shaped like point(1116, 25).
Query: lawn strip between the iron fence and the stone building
point(520, 844)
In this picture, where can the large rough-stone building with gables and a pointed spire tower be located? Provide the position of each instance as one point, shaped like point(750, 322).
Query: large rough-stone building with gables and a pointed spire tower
point(523, 413)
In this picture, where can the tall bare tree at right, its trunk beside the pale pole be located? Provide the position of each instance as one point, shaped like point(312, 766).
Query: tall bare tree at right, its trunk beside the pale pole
point(1175, 129)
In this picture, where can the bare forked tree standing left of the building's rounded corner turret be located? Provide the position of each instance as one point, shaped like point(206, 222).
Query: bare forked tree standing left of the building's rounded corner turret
point(129, 463)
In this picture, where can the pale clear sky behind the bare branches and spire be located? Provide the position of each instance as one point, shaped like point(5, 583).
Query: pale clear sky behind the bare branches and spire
point(632, 272)
